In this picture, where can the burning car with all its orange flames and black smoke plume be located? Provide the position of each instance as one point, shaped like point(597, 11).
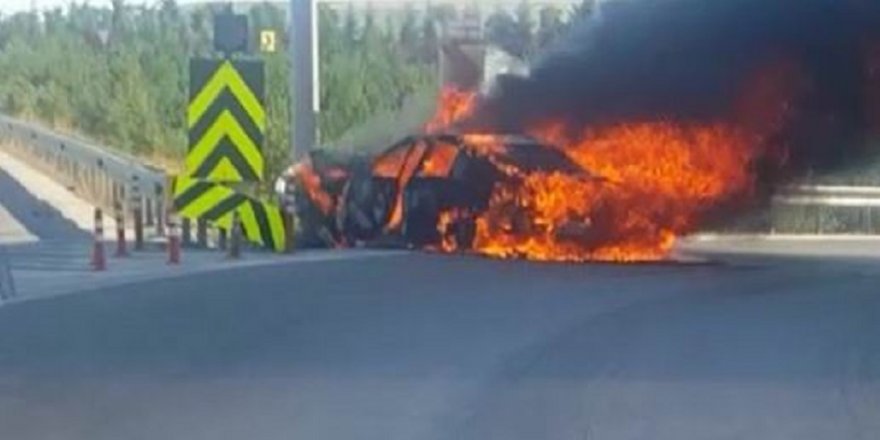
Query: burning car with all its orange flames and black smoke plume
point(627, 150)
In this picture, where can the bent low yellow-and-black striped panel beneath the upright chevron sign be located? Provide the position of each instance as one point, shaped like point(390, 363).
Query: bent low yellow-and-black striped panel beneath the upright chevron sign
point(263, 223)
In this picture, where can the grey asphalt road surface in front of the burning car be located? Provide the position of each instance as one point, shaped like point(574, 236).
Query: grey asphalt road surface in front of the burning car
point(431, 347)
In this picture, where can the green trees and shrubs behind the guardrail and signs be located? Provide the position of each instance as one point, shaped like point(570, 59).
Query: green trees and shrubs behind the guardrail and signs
point(119, 74)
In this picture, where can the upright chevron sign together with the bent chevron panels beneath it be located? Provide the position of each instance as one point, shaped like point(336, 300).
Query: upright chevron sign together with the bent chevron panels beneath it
point(226, 117)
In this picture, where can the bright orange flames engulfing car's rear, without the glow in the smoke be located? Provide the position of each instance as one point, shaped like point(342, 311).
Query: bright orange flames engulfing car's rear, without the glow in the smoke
point(660, 178)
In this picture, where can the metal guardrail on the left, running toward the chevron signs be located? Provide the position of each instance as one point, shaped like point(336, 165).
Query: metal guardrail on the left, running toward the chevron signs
point(98, 175)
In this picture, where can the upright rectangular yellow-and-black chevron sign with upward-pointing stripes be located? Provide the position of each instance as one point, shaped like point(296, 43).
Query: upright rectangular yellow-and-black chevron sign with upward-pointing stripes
point(226, 118)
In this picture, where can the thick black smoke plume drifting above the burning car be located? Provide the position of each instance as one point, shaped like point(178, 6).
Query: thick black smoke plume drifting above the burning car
point(687, 60)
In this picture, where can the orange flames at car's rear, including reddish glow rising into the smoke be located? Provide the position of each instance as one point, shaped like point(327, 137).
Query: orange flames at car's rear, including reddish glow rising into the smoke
point(657, 180)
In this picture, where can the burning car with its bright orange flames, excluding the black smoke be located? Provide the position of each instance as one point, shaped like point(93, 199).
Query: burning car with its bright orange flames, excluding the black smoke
point(617, 193)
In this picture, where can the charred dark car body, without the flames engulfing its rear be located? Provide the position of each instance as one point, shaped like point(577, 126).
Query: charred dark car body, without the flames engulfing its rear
point(398, 197)
